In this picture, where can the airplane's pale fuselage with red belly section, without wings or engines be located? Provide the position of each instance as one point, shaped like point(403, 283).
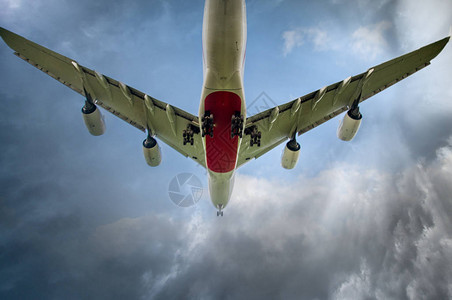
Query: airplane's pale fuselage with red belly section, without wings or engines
point(224, 44)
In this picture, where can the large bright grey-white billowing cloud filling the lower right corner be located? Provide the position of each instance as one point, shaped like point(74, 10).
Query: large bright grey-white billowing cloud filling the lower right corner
point(348, 232)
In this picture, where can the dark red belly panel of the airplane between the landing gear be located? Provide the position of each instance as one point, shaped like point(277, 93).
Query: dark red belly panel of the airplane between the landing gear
point(221, 150)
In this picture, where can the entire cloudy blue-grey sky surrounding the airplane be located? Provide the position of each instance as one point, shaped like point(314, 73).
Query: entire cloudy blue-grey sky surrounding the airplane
point(85, 217)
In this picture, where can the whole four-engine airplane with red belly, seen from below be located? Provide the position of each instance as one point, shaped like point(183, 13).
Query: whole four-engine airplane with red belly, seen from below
point(222, 137)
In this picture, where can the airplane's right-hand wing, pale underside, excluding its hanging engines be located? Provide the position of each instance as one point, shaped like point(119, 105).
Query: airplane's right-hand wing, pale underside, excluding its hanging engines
point(307, 112)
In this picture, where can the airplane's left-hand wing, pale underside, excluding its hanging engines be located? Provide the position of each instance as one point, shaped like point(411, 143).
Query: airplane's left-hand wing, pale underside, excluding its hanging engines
point(136, 108)
